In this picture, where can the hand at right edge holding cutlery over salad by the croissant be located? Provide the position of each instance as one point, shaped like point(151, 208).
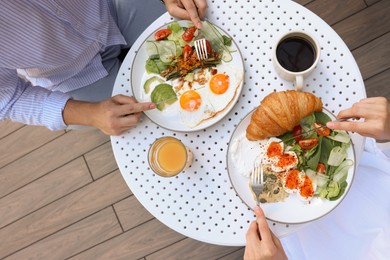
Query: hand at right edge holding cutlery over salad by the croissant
point(376, 114)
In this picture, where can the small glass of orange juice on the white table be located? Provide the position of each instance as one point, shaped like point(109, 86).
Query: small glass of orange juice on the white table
point(168, 156)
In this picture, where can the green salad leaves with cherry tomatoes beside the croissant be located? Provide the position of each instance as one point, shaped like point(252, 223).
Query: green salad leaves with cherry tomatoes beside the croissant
point(326, 163)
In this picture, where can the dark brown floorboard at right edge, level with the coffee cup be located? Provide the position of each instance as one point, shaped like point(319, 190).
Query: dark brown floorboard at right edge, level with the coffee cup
point(374, 57)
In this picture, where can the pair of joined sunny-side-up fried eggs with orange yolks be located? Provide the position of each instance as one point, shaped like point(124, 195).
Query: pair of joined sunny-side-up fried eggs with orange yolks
point(205, 93)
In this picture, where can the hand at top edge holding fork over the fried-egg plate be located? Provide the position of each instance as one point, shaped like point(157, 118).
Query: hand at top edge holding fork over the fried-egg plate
point(193, 10)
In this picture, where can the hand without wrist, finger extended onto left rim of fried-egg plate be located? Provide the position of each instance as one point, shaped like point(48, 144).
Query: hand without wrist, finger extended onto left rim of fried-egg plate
point(118, 114)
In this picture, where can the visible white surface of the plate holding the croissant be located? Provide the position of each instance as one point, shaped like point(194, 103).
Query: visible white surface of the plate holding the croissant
point(293, 210)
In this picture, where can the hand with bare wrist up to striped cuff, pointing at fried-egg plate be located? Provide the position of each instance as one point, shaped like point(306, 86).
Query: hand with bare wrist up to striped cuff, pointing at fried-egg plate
point(112, 116)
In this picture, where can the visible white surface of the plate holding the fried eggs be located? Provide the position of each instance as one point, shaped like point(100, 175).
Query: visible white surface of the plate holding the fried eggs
point(173, 122)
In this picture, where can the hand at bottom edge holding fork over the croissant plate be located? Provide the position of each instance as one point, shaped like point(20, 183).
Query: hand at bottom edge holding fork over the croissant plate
point(261, 243)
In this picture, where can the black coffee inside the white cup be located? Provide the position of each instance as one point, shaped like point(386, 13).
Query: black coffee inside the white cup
point(295, 54)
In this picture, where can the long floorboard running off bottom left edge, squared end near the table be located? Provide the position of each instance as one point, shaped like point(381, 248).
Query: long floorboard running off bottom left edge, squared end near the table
point(73, 239)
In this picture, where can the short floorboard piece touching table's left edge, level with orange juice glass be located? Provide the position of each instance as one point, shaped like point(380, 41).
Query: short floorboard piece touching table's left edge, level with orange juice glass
point(101, 160)
